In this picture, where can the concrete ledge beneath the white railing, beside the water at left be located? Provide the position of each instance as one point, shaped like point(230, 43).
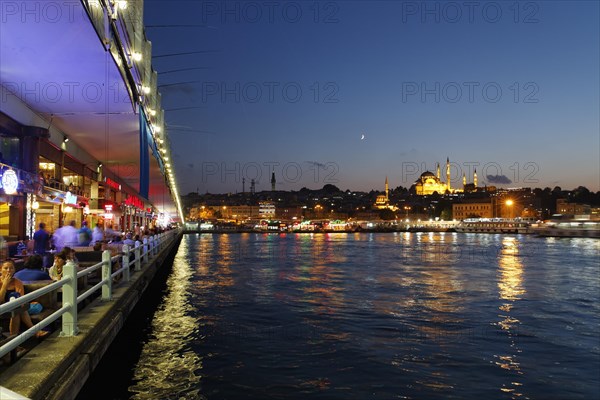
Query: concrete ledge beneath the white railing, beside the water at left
point(58, 367)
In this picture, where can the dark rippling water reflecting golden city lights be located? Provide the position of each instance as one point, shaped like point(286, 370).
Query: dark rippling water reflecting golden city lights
point(356, 316)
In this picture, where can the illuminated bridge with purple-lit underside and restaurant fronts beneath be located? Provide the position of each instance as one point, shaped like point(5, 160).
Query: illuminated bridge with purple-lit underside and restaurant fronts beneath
point(82, 130)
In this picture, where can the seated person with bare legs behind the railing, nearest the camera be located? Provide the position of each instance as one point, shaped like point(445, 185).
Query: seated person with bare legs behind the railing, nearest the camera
point(11, 287)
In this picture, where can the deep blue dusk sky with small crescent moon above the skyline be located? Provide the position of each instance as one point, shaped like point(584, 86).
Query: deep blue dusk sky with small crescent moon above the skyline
point(350, 92)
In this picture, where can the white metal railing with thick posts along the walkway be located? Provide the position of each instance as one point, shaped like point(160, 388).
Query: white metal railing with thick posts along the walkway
point(142, 252)
